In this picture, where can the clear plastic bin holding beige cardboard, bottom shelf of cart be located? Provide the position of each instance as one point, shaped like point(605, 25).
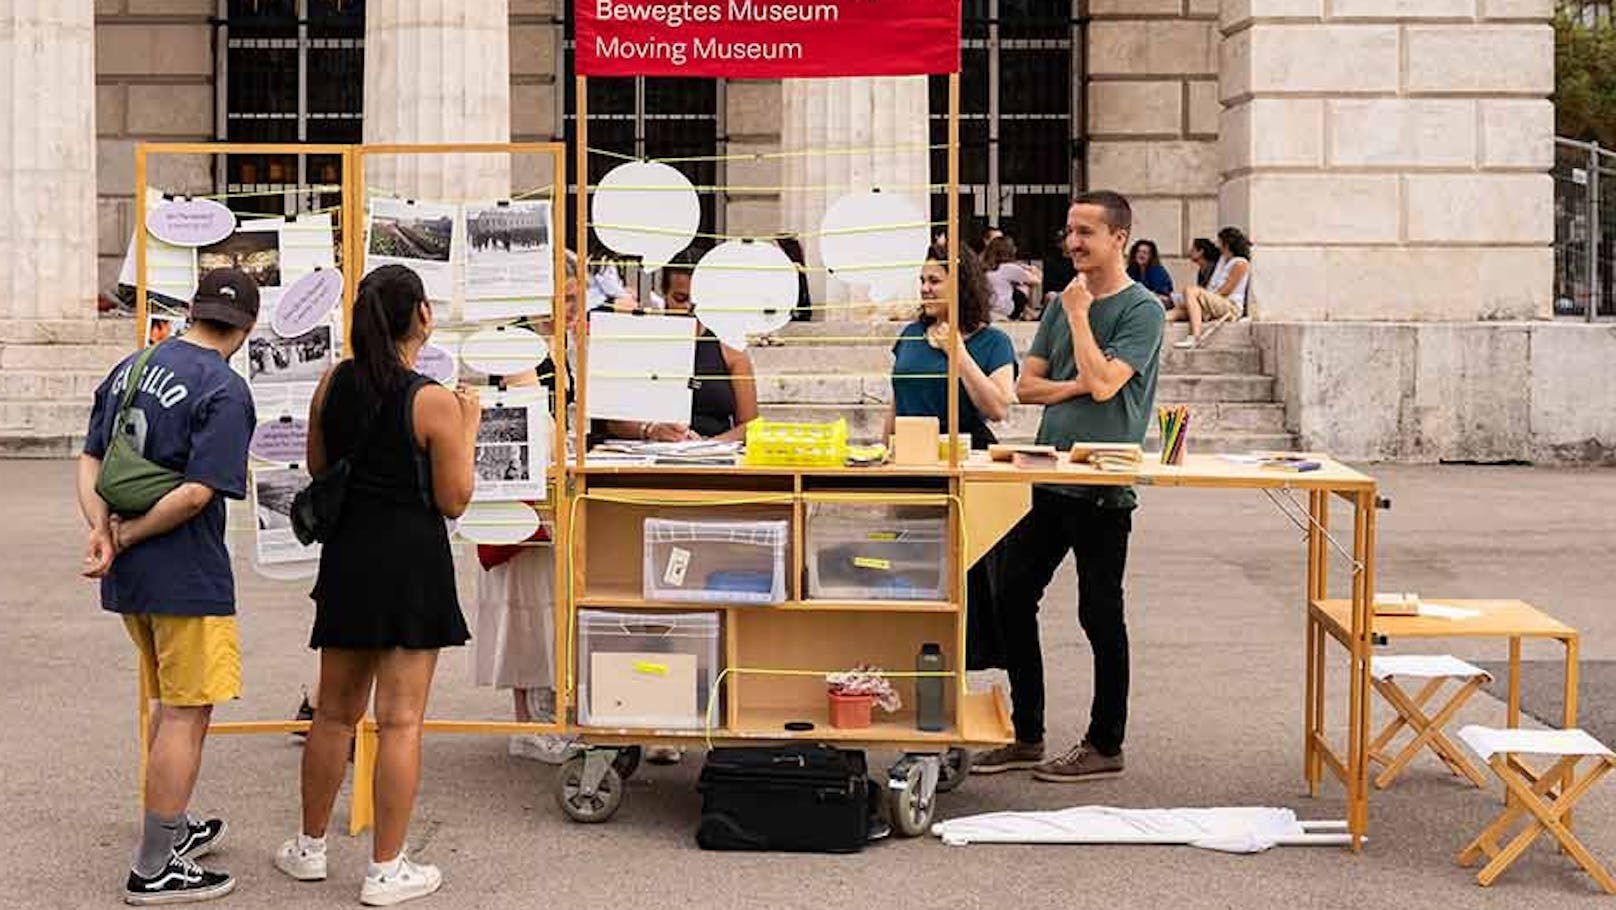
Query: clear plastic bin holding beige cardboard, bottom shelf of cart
point(647, 670)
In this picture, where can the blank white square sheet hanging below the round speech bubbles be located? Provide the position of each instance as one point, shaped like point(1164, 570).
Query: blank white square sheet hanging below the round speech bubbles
point(641, 368)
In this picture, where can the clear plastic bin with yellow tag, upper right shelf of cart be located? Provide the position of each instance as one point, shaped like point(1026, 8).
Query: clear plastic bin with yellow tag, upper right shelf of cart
point(877, 552)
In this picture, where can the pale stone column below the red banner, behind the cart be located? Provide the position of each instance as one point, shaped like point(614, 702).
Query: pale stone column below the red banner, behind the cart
point(878, 114)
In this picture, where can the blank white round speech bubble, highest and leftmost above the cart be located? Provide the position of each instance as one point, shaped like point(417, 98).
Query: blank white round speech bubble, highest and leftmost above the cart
point(646, 209)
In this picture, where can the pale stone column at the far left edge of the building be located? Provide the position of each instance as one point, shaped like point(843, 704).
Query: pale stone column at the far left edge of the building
point(48, 237)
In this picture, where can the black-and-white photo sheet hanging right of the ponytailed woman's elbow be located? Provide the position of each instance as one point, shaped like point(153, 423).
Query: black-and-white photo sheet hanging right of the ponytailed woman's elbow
point(513, 447)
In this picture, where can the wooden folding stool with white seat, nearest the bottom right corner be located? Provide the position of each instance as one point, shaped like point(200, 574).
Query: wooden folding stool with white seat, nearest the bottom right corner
point(1547, 796)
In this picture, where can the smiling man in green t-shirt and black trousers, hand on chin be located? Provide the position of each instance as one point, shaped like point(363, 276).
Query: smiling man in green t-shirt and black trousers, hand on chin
point(1093, 368)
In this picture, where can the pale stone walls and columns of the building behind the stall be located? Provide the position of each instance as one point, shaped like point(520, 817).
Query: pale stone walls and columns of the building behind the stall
point(1389, 158)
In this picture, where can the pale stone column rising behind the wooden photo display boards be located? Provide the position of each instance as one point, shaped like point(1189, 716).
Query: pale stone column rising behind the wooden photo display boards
point(439, 72)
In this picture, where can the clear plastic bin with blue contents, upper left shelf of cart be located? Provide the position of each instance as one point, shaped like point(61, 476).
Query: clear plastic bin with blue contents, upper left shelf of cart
point(717, 562)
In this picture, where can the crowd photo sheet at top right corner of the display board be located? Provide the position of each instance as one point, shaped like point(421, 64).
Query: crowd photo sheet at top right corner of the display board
point(510, 263)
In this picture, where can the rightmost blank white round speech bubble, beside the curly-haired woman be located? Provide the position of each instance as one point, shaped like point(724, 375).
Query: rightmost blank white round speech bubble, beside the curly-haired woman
point(878, 240)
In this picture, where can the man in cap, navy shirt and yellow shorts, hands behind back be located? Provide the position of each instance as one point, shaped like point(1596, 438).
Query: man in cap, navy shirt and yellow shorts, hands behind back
point(167, 571)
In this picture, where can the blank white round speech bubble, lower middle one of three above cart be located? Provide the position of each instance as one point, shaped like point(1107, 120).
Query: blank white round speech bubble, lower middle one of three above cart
point(744, 289)
